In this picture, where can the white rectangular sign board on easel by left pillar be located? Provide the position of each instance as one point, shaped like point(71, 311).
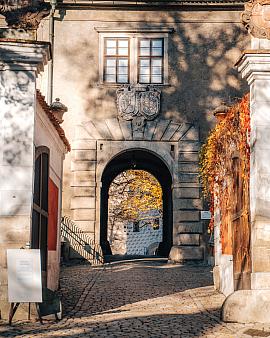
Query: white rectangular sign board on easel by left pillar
point(24, 276)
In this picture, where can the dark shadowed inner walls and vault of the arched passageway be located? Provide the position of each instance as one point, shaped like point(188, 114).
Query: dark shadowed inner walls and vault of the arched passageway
point(139, 160)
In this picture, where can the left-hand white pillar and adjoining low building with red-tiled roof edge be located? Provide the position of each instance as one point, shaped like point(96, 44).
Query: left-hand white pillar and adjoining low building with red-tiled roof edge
point(33, 146)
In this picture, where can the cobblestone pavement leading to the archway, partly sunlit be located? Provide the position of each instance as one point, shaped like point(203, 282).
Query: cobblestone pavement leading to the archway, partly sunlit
point(137, 299)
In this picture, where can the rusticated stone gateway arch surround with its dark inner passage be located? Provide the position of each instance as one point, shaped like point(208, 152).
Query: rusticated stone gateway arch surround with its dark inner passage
point(167, 149)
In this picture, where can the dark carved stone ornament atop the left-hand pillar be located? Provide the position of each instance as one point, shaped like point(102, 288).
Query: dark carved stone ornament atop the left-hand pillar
point(24, 14)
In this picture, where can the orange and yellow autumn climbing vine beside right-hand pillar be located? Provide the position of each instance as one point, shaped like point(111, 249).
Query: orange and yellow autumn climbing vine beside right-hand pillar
point(229, 137)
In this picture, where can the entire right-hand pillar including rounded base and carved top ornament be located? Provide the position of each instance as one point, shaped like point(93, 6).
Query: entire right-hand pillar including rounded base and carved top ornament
point(254, 65)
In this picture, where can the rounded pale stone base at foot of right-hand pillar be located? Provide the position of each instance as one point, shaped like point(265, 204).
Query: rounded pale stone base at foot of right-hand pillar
point(247, 306)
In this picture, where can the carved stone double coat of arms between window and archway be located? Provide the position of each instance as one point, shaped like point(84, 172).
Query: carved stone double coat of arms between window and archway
point(138, 103)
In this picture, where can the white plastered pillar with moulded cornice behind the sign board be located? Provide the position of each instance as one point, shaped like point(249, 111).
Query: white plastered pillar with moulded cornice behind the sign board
point(19, 65)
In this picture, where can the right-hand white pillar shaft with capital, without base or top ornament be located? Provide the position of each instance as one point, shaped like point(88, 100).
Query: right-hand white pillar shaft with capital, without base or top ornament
point(255, 67)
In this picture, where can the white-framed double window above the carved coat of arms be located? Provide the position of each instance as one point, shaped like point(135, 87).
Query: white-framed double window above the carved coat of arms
point(127, 57)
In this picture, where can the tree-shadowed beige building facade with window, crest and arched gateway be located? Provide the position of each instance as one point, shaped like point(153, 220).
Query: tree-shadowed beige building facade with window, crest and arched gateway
point(140, 81)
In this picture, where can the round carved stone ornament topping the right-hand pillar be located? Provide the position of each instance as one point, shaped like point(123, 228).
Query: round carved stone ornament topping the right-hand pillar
point(256, 18)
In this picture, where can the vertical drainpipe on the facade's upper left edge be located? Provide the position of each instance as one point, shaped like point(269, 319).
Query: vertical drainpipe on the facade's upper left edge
point(51, 40)
